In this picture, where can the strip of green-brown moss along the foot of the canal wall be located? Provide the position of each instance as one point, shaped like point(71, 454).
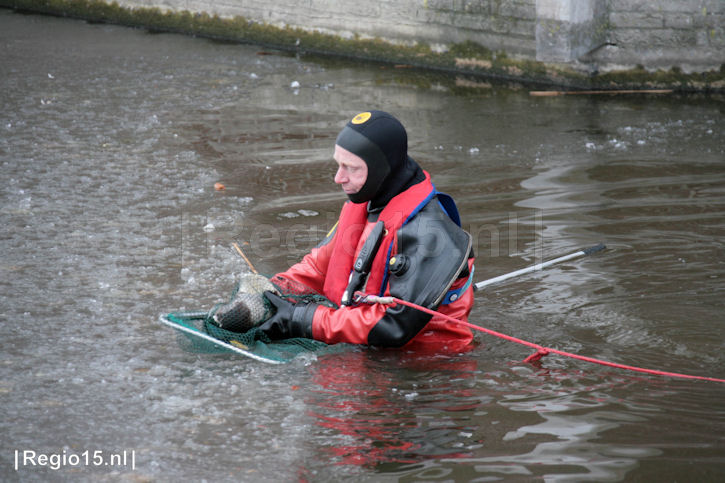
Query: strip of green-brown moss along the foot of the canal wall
point(468, 58)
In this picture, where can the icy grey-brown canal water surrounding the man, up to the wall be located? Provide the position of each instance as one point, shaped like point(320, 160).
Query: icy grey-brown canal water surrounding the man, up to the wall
point(111, 141)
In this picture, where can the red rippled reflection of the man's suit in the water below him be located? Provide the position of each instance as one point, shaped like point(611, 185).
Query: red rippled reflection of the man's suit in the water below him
point(382, 409)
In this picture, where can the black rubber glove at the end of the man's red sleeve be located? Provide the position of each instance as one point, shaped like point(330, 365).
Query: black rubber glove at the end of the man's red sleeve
point(289, 320)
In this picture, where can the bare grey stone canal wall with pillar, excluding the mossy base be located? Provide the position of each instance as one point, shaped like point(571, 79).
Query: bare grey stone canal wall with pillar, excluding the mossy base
point(589, 35)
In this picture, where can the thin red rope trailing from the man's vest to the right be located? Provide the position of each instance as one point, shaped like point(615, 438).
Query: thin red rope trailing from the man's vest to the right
point(540, 350)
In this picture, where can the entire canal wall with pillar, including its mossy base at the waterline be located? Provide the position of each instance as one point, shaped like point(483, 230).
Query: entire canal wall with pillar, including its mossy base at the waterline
point(571, 43)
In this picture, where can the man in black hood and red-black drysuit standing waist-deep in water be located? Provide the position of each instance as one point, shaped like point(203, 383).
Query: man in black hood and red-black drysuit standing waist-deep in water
point(396, 236)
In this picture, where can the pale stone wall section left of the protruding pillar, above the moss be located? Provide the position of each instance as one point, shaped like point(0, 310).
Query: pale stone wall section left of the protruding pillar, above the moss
point(506, 25)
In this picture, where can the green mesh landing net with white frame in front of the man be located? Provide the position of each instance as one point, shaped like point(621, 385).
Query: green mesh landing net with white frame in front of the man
point(252, 340)
